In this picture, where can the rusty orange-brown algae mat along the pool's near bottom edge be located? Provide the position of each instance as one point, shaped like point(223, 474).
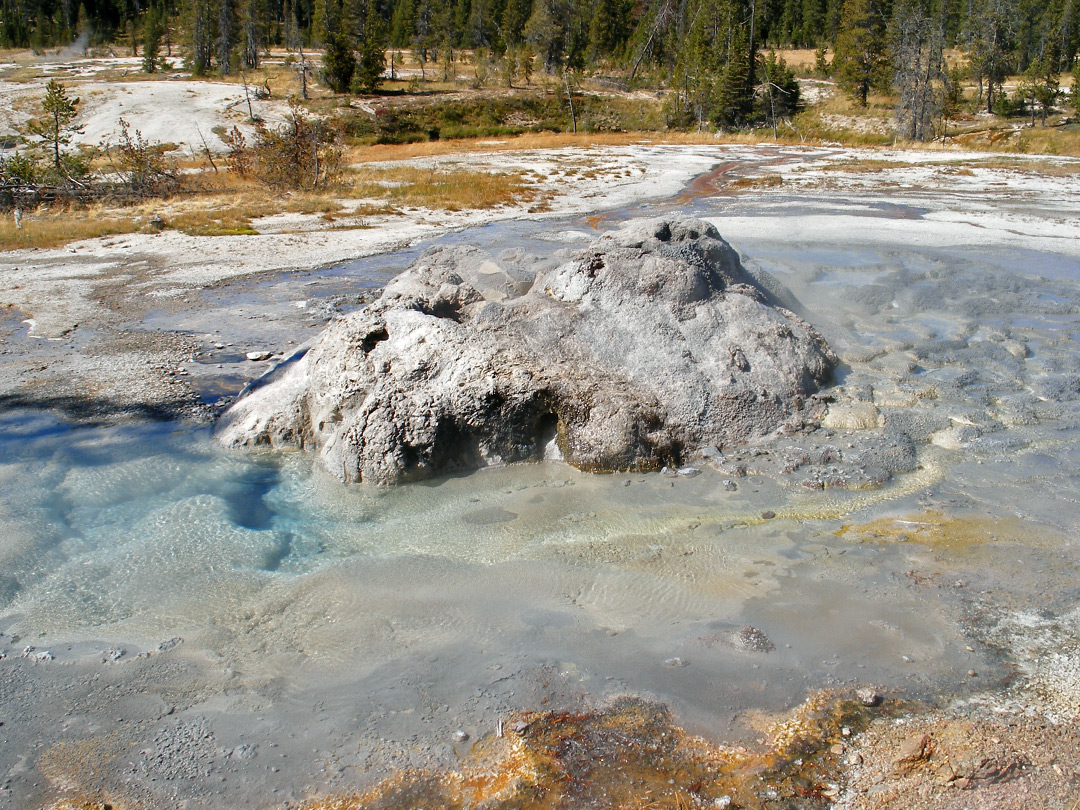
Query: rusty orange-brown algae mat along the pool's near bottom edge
point(630, 757)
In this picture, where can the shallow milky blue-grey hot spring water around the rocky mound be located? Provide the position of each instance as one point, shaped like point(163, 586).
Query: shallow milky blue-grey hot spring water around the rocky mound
point(367, 626)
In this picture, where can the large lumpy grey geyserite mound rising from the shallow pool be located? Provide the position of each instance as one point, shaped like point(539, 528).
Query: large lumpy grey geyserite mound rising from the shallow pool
point(647, 347)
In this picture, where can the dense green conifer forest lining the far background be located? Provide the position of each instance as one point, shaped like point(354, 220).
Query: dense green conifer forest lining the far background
point(714, 56)
